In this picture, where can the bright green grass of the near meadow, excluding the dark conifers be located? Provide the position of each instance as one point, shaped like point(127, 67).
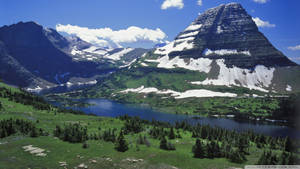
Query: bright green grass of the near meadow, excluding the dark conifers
point(99, 154)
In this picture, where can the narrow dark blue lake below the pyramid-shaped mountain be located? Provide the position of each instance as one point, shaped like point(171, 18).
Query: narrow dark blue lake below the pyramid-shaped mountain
point(108, 108)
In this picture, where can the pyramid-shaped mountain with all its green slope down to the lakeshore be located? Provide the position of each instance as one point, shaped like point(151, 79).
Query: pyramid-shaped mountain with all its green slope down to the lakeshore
point(220, 65)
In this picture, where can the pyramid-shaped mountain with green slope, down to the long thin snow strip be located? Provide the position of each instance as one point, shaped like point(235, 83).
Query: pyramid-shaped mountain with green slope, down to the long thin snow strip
point(222, 53)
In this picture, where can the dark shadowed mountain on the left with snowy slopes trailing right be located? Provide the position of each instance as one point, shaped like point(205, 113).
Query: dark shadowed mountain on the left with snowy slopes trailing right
point(33, 56)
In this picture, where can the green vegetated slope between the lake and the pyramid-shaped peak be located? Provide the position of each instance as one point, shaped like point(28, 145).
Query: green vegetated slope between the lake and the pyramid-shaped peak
point(243, 107)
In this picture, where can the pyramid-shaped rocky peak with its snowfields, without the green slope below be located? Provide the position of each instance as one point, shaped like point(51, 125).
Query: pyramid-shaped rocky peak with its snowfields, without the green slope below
point(225, 44)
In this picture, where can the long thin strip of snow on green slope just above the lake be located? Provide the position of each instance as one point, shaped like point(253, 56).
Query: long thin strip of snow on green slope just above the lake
point(180, 95)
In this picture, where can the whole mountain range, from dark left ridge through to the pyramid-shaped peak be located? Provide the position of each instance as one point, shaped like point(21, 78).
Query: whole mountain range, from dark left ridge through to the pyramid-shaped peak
point(222, 50)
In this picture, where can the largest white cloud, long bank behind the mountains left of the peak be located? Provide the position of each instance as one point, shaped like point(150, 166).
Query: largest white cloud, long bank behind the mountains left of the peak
point(106, 37)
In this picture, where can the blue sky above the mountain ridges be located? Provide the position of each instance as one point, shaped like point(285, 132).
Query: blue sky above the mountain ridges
point(148, 17)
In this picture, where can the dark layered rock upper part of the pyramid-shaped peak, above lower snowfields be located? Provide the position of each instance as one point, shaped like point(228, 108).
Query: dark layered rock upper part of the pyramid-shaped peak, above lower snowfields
point(227, 32)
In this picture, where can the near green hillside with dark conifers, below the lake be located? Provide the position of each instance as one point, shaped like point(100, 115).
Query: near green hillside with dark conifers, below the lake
point(125, 142)
